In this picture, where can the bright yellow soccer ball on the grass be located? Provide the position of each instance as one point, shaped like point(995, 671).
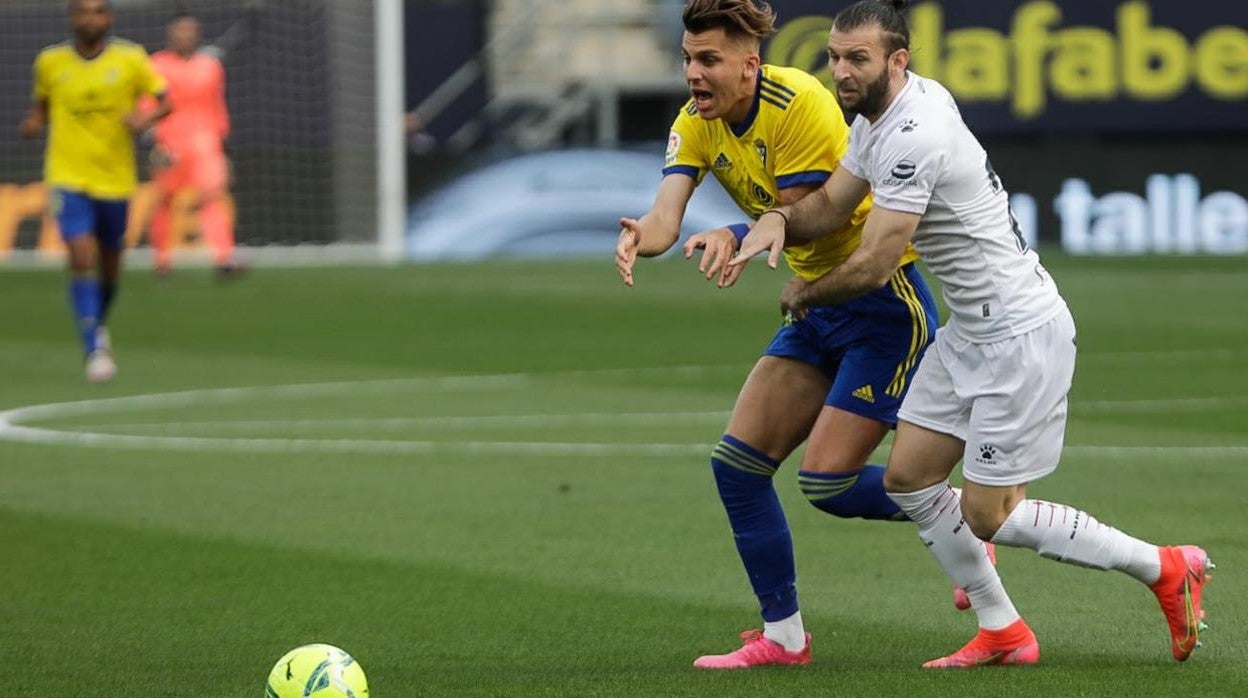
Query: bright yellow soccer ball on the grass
point(316, 671)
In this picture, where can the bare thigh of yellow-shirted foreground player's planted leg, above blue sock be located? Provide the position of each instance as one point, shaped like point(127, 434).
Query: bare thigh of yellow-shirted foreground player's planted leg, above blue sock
point(778, 405)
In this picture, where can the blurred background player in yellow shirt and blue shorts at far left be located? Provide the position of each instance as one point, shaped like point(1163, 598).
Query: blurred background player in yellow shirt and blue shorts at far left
point(85, 93)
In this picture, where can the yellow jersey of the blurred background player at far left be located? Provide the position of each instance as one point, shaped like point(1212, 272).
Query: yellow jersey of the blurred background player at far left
point(90, 149)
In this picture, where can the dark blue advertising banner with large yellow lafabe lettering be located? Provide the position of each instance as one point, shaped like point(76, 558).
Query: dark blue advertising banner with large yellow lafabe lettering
point(1071, 66)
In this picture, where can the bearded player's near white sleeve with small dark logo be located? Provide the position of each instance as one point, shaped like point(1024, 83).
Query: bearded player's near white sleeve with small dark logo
point(908, 167)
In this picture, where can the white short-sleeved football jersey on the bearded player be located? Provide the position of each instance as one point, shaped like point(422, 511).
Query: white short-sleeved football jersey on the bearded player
point(920, 158)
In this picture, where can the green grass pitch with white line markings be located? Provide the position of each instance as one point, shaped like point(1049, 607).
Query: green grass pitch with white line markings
point(492, 480)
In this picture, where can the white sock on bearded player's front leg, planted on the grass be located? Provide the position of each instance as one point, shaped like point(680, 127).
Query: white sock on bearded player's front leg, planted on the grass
point(938, 510)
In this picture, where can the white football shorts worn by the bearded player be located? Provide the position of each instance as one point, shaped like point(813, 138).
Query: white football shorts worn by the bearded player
point(1007, 400)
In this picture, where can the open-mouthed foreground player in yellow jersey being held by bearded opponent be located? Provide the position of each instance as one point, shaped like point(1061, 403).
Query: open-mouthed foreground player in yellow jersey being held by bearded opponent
point(772, 135)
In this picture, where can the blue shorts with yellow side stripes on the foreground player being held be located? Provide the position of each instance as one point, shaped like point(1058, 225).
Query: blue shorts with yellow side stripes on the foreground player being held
point(869, 348)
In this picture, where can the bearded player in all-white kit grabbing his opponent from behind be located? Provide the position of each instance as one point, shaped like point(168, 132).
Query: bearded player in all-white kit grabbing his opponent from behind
point(993, 389)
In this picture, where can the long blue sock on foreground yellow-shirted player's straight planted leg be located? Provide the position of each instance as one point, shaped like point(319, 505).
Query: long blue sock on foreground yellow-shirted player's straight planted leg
point(744, 479)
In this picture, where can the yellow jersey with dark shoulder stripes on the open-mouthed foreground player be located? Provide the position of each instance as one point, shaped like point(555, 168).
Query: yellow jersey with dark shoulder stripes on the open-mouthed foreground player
point(796, 134)
